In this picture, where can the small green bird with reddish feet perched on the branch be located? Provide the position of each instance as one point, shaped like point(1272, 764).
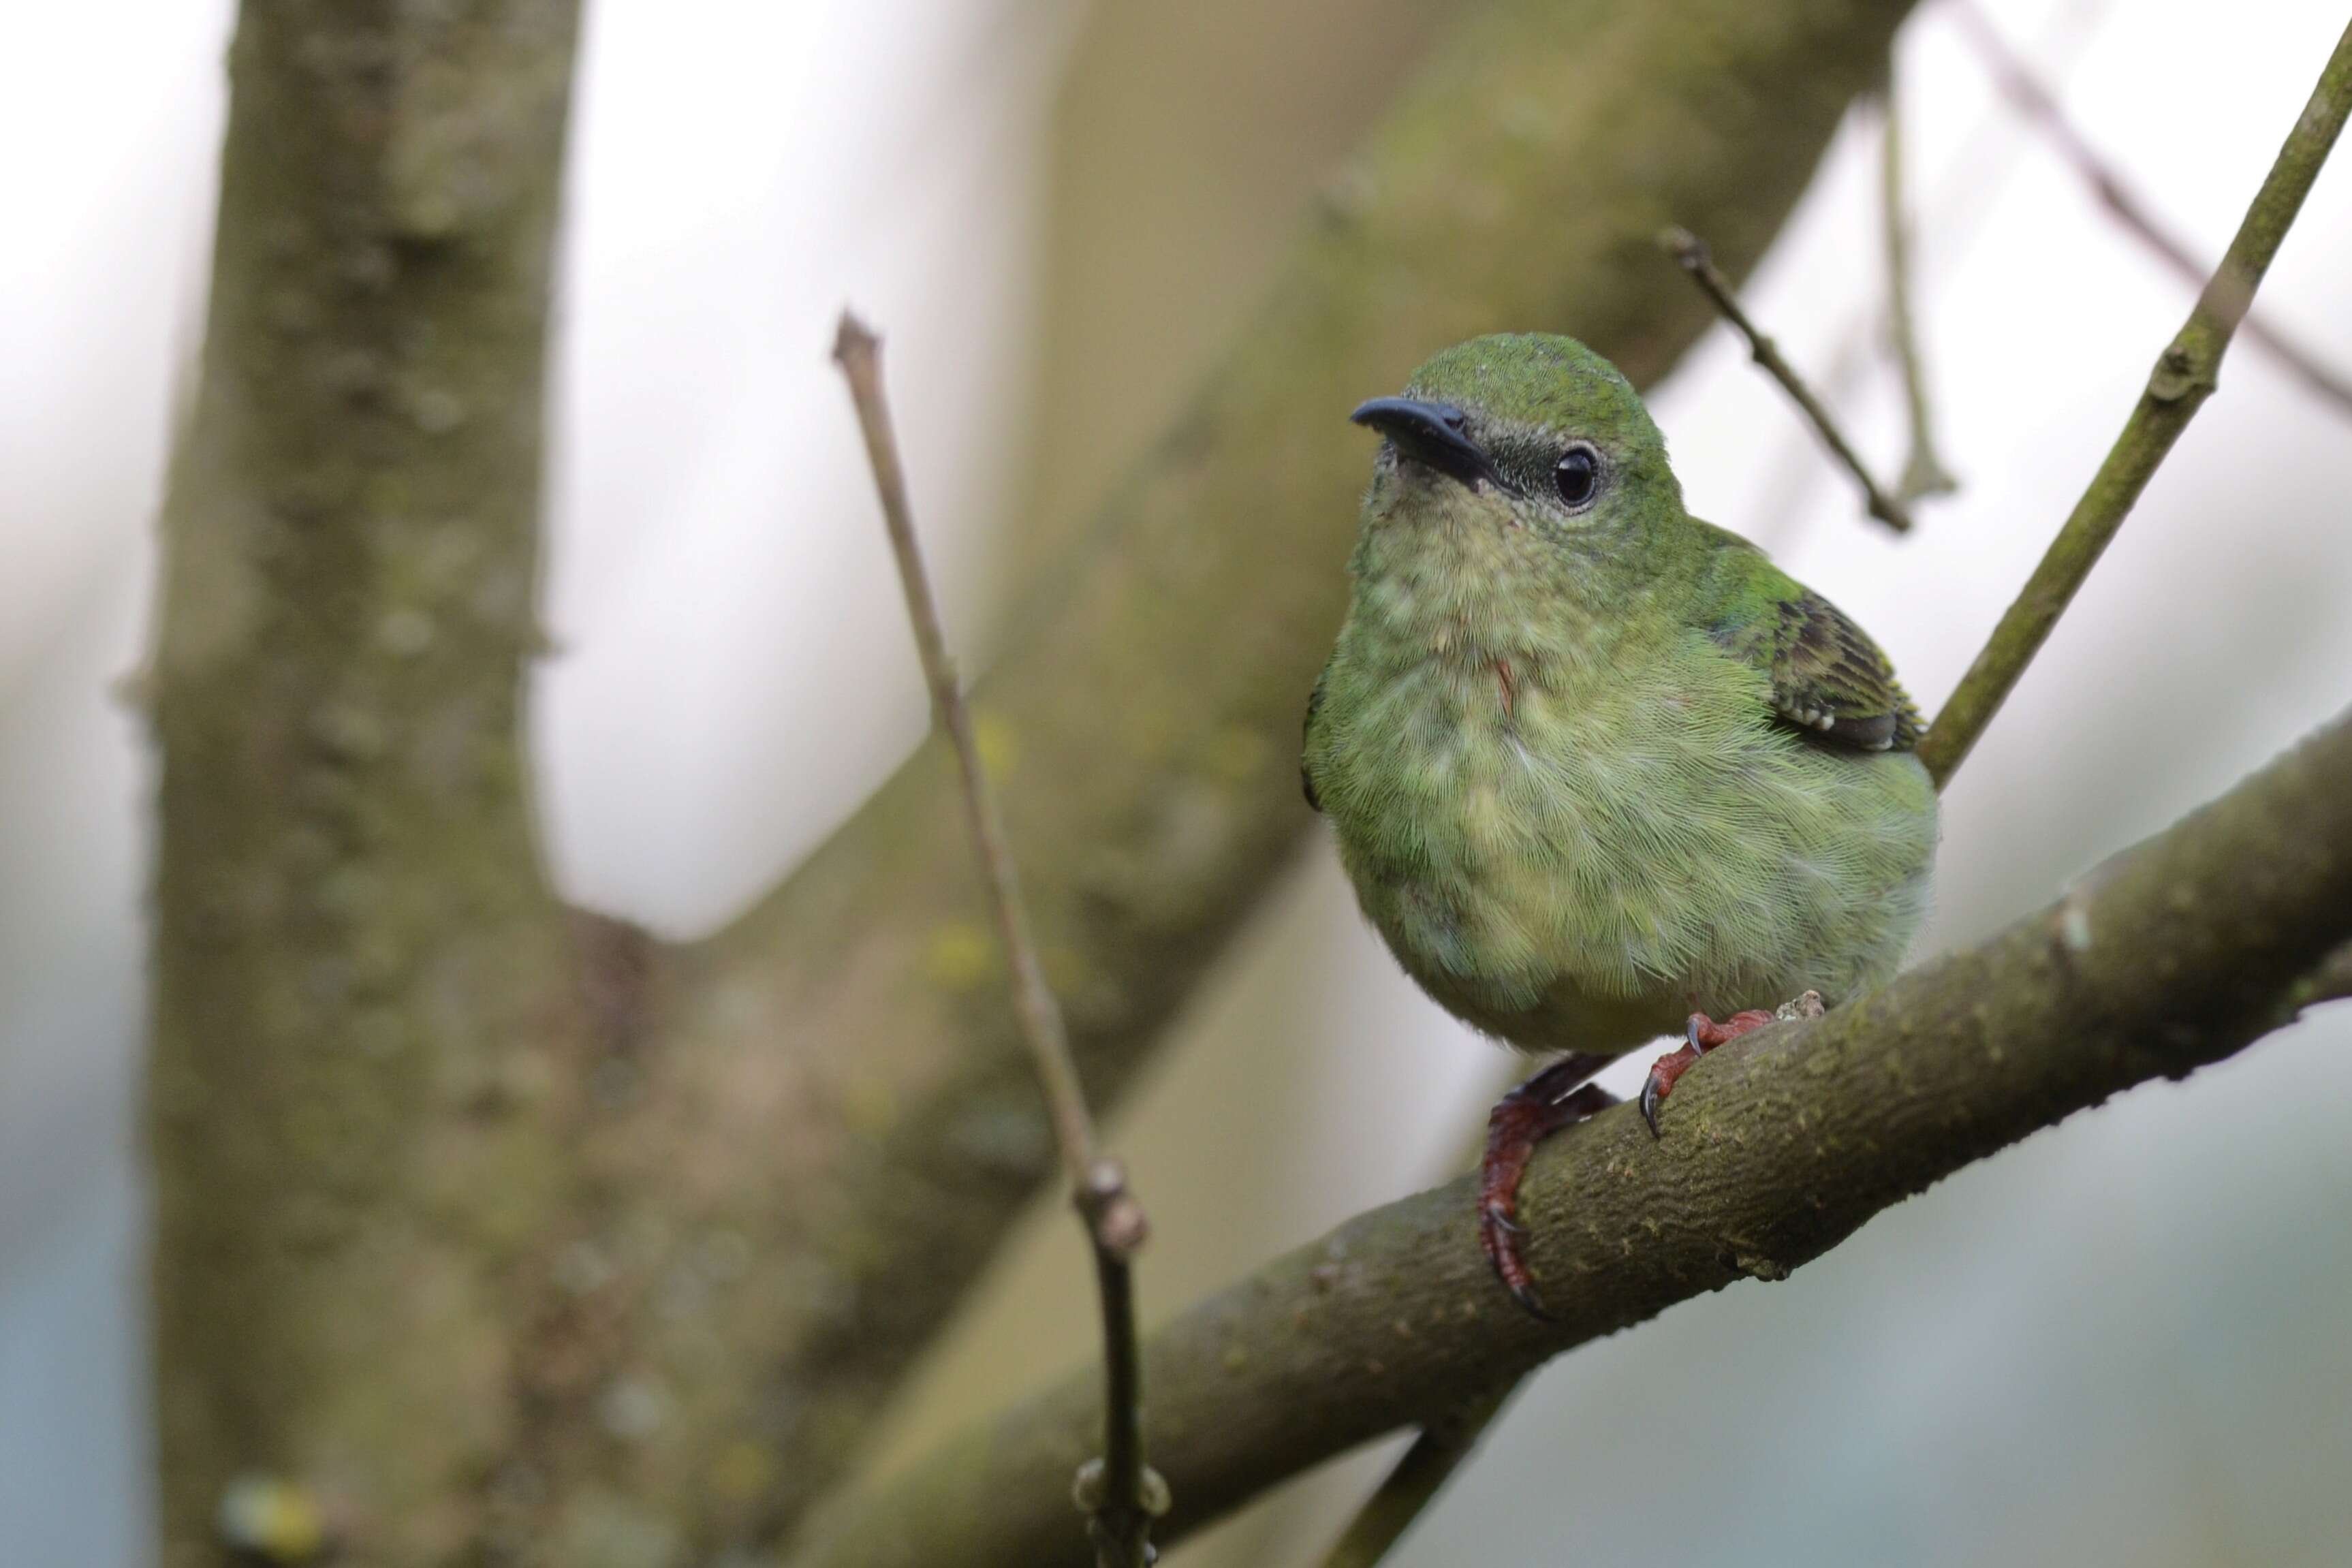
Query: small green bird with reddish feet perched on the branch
point(1596, 768)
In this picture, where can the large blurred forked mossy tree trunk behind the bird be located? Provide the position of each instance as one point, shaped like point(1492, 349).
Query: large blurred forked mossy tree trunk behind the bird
point(509, 1235)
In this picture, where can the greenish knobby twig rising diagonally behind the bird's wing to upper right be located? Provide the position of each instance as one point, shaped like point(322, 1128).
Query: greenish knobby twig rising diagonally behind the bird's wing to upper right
point(2186, 375)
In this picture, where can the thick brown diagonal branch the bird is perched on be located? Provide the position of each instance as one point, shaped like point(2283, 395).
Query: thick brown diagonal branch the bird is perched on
point(1777, 1148)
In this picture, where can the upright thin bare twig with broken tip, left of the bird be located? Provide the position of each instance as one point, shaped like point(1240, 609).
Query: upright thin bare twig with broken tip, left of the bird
point(1118, 1492)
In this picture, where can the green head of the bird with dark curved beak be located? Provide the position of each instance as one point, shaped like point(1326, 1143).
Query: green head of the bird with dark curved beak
point(1528, 431)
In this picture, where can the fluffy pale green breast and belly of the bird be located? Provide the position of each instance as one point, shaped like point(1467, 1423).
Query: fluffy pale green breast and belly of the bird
point(1556, 831)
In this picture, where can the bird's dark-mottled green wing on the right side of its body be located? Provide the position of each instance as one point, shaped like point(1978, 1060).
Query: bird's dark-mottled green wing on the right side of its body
point(1829, 678)
